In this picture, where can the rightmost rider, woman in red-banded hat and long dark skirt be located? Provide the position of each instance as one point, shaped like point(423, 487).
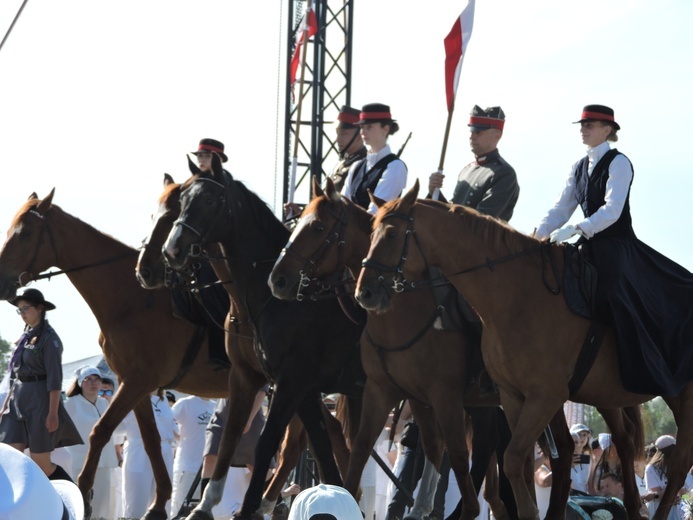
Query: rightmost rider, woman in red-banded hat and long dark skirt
point(644, 295)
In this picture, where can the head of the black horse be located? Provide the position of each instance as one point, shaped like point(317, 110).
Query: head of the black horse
point(204, 208)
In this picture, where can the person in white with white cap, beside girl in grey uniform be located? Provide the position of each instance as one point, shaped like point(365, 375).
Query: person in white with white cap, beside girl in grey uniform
point(85, 408)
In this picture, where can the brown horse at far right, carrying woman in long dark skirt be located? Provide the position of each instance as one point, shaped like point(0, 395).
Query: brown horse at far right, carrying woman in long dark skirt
point(531, 338)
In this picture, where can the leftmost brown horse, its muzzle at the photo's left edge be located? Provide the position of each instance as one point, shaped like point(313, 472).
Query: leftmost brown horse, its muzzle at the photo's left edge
point(142, 341)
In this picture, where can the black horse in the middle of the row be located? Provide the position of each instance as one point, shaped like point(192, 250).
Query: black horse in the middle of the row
point(304, 348)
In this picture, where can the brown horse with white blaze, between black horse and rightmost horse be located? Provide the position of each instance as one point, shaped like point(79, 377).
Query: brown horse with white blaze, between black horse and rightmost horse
point(404, 352)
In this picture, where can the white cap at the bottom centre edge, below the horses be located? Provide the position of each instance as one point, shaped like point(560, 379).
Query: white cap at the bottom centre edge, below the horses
point(325, 502)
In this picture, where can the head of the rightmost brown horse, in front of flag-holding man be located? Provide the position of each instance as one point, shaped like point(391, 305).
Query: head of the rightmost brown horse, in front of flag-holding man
point(383, 269)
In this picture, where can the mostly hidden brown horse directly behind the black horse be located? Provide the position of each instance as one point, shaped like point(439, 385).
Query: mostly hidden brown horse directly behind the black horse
point(152, 273)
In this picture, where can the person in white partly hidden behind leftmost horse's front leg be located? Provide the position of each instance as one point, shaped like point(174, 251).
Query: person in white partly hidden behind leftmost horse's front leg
point(138, 477)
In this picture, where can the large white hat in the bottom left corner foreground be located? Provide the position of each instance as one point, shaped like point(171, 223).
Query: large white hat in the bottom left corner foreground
point(27, 494)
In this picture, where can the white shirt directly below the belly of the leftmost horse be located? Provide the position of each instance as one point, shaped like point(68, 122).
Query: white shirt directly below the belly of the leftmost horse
point(192, 415)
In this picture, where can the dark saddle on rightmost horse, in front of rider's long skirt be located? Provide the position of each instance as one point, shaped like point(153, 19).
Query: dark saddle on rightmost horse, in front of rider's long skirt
point(579, 281)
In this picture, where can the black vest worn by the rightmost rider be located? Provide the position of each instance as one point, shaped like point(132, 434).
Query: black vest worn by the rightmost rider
point(590, 192)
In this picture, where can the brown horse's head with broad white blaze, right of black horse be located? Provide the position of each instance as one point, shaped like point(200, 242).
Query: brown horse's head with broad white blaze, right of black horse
point(315, 248)
